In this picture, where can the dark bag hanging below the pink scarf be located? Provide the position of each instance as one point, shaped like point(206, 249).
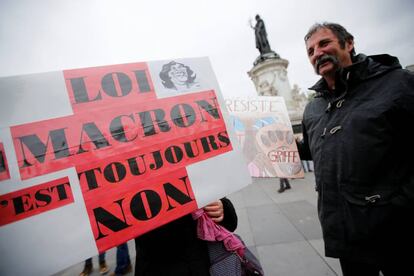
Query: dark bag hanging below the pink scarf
point(229, 263)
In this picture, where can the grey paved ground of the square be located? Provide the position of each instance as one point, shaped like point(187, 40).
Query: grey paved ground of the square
point(281, 229)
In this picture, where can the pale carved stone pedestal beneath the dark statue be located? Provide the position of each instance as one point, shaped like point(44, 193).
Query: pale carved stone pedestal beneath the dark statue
point(271, 79)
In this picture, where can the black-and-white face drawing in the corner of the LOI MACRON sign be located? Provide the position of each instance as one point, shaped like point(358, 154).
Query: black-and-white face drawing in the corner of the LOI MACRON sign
point(178, 76)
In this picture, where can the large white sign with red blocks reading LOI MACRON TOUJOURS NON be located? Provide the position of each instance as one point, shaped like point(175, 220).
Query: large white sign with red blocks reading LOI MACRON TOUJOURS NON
point(93, 157)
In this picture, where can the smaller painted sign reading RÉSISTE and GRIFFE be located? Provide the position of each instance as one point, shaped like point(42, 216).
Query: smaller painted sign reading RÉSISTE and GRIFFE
point(265, 133)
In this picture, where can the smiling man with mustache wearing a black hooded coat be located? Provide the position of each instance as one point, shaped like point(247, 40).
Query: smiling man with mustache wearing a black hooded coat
point(355, 131)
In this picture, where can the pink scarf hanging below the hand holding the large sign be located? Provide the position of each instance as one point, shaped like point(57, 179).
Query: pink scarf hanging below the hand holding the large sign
point(208, 230)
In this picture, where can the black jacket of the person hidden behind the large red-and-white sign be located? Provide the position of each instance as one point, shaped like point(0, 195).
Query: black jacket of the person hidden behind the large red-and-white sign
point(174, 248)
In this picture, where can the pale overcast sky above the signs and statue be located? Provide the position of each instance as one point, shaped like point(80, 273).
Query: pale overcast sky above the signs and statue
point(50, 35)
